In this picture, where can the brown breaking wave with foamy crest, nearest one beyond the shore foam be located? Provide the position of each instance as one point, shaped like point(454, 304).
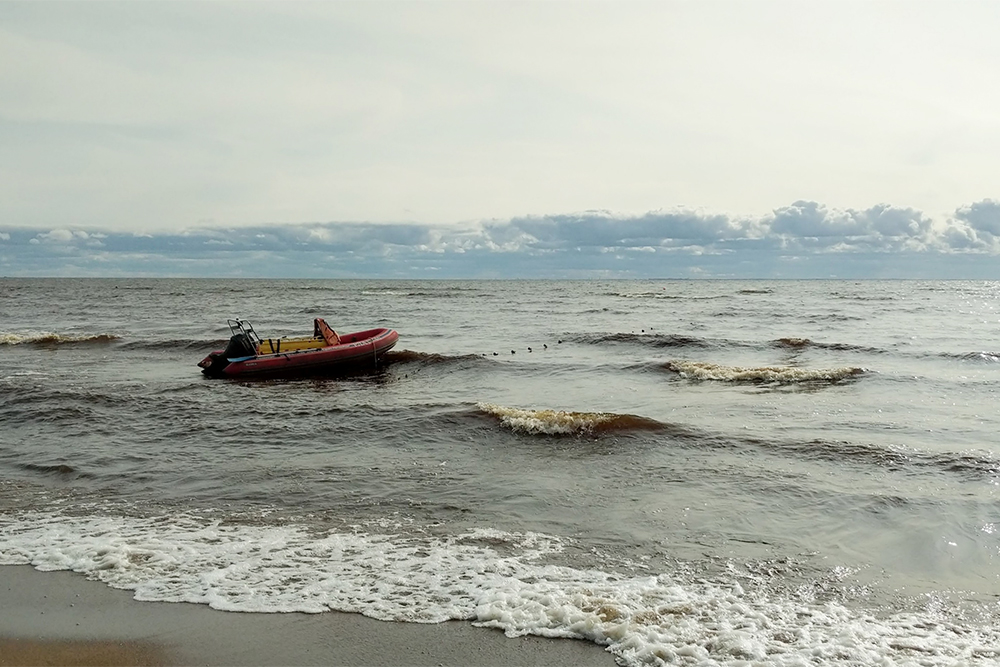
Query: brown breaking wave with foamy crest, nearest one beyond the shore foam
point(559, 422)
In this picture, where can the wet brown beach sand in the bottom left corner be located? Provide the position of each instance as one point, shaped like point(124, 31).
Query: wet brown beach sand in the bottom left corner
point(61, 618)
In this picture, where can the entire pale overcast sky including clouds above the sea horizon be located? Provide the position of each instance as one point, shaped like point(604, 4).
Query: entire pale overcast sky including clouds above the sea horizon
point(480, 139)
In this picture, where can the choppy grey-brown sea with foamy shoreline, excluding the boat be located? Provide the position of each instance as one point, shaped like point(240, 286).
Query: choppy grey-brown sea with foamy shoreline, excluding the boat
point(686, 472)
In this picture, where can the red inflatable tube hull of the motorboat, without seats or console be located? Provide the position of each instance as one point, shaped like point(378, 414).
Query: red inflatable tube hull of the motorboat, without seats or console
point(357, 351)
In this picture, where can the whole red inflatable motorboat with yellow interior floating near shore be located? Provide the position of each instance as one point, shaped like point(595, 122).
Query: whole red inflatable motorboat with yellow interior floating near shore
point(323, 353)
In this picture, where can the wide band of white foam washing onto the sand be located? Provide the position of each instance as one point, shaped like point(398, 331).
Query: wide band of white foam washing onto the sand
point(489, 577)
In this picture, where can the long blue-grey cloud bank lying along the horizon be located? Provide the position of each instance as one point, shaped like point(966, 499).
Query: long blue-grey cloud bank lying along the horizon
point(803, 239)
